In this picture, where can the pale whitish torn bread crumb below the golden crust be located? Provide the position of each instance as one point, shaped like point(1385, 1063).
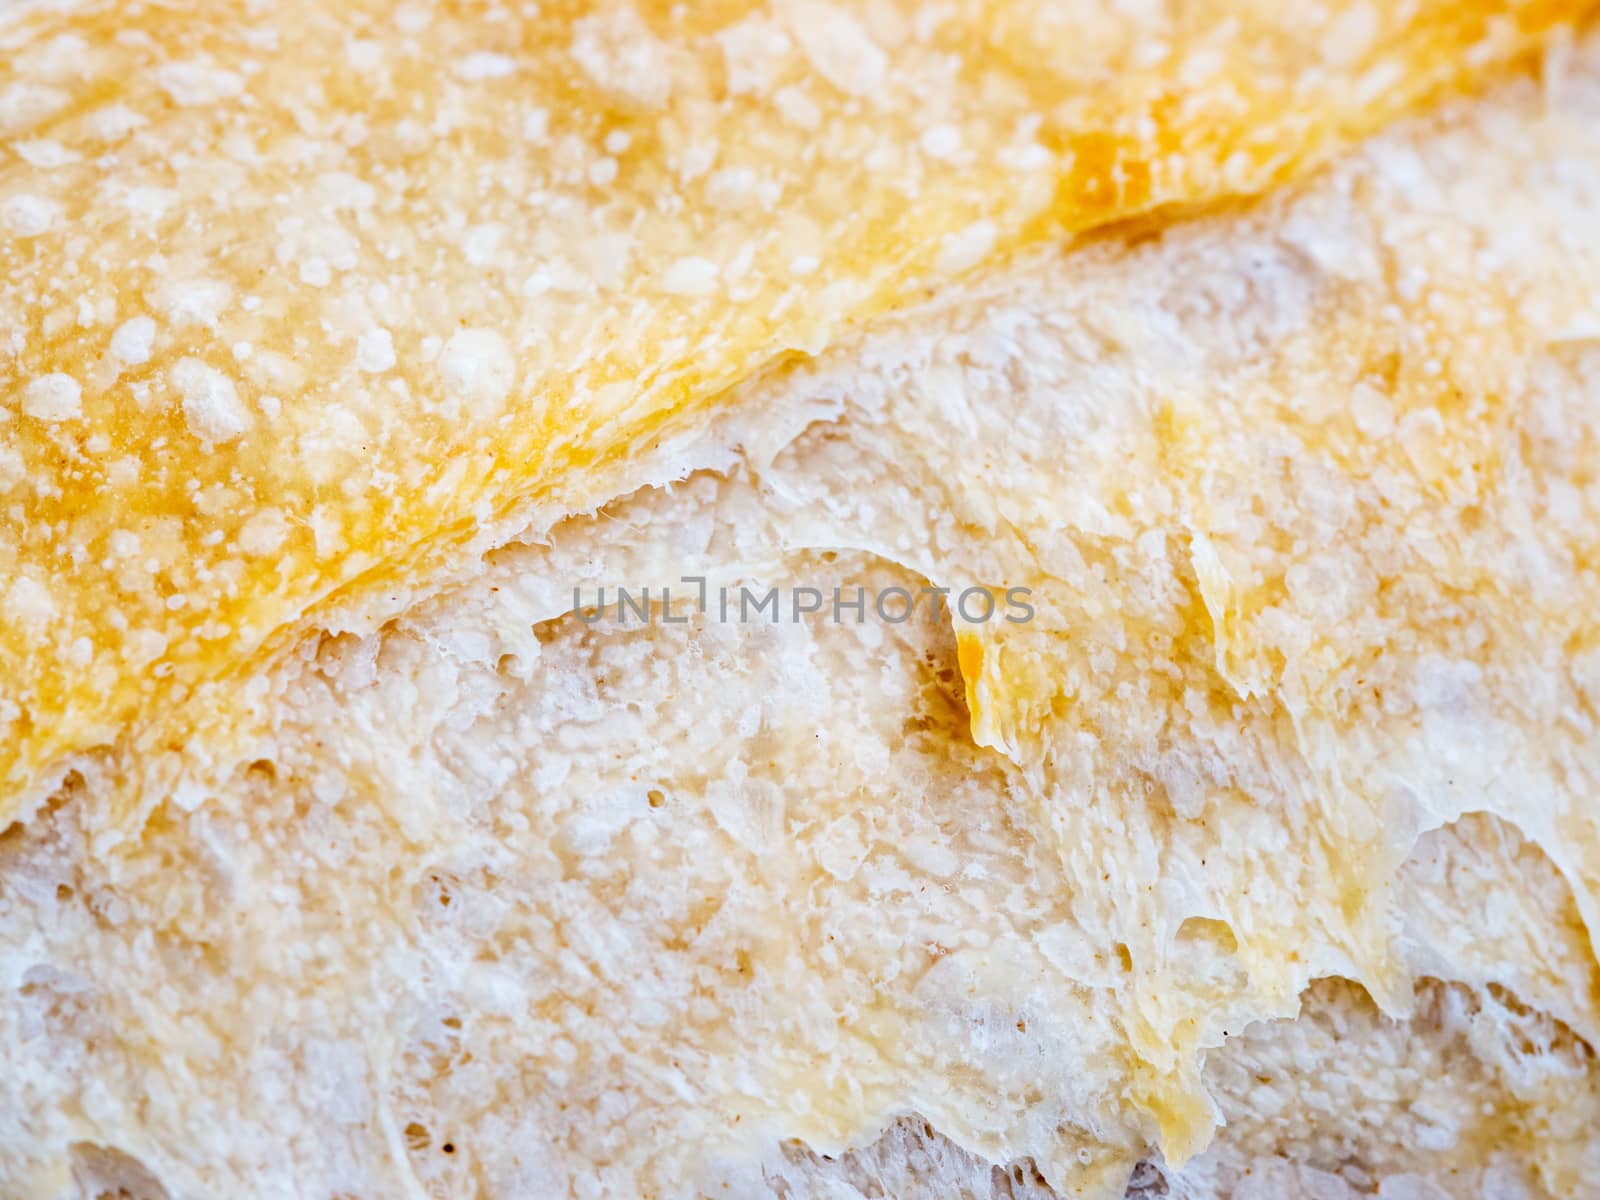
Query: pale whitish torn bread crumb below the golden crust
point(513, 905)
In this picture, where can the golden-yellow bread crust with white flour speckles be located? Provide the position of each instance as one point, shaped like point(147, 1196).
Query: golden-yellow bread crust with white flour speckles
point(386, 294)
